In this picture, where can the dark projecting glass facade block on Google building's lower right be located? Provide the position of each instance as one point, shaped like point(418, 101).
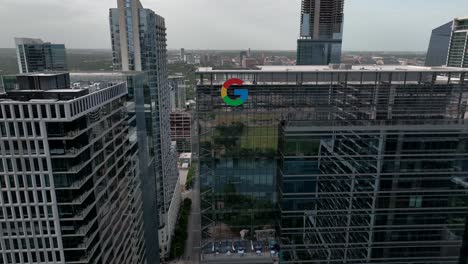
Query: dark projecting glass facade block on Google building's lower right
point(381, 194)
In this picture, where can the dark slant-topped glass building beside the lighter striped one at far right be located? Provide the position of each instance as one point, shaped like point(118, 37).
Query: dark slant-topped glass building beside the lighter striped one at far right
point(439, 45)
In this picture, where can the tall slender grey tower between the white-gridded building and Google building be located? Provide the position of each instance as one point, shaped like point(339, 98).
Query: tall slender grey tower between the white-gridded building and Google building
point(139, 44)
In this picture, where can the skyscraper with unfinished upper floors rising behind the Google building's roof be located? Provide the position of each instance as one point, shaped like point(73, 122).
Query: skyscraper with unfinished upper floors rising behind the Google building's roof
point(321, 34)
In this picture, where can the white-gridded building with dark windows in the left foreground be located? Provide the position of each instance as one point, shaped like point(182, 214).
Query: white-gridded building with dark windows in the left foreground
point(69, 174)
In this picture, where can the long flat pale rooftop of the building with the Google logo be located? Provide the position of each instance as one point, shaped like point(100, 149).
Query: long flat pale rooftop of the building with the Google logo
point(327, 68)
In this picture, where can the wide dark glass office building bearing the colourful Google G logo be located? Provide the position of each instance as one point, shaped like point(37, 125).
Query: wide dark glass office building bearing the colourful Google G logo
point(356, 165)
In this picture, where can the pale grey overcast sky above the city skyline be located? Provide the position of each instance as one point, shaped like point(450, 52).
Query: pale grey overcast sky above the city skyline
point(394, 25)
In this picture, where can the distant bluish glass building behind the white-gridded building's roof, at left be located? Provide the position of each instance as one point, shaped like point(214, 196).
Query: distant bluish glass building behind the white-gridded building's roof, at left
point(34, 55)
